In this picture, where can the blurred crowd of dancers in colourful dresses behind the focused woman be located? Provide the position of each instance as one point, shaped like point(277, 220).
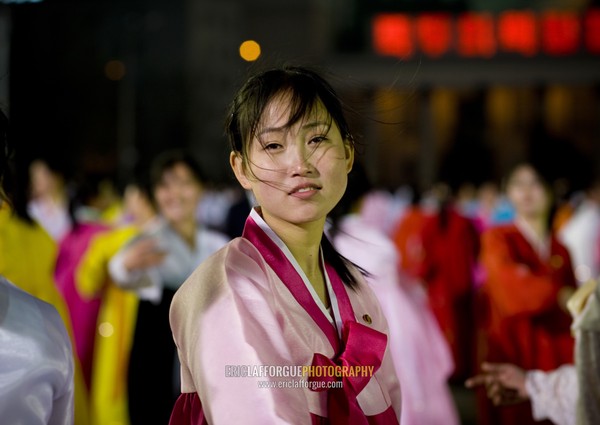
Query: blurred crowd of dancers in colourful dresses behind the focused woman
point(482, 269)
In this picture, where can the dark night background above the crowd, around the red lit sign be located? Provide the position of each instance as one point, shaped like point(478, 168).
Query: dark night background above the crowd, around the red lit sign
point(182, 66)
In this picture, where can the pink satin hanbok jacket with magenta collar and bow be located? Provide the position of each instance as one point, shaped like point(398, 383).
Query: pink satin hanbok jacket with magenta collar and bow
point(249, 326)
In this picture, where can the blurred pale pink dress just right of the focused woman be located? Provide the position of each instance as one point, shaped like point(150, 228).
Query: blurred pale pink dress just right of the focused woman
point(419, 351)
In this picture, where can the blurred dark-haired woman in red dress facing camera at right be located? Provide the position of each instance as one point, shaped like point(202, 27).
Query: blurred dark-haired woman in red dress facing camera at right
point(529, 279)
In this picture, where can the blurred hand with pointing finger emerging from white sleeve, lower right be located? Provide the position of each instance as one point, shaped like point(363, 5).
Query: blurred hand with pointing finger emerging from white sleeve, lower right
point(504, 383)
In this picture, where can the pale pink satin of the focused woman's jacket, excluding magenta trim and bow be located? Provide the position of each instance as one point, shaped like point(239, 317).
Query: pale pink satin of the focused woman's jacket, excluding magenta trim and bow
point(234, 310)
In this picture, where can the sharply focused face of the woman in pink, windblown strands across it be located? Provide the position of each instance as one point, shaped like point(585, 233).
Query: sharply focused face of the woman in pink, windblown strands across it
point(298, 173)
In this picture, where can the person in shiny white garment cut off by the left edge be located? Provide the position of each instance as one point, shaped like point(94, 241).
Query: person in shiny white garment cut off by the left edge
point(36, 363)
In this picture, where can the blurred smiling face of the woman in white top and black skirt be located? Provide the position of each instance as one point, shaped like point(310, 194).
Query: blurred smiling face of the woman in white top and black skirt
point(178, 194)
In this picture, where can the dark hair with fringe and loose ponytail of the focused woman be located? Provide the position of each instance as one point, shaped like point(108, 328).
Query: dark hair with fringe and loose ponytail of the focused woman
point(306, 89)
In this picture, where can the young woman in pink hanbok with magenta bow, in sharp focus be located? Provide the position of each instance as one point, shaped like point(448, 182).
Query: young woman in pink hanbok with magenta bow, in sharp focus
point(277, 327)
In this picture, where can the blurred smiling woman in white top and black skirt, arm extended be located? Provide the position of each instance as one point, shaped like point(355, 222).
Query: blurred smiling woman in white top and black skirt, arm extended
point(154, 265)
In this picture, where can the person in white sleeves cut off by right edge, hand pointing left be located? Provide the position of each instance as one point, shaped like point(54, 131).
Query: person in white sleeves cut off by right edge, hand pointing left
point(568, 395)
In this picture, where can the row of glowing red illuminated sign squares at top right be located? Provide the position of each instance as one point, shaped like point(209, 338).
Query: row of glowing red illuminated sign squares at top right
point(522, 32)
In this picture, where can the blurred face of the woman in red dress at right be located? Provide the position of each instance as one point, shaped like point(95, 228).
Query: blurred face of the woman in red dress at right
point(527, 192)
